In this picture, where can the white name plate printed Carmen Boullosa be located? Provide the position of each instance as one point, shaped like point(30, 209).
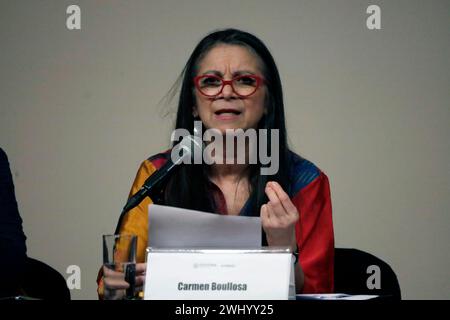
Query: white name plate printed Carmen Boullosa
point(210, 274)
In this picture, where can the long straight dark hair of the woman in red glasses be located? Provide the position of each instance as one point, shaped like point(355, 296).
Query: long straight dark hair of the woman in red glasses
point(188, 187)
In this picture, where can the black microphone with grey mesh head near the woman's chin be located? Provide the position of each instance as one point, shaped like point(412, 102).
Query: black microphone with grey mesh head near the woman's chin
point(187, 148)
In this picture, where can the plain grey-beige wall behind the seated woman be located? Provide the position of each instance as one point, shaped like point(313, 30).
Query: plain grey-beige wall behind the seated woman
point(79, 111)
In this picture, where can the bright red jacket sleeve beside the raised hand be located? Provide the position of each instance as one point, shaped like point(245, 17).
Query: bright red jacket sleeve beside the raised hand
point(315, 235)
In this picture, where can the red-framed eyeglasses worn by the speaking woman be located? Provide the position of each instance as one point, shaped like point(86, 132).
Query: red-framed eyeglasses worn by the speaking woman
point(211, 85)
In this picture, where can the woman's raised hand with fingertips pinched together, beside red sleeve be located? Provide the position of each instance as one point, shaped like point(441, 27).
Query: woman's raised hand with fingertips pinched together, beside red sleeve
point(278, 217)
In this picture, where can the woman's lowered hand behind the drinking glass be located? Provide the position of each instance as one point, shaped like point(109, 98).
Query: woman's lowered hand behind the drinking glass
point(115, 285)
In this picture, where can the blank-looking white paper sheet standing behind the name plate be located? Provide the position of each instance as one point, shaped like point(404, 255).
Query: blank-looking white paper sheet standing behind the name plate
point(171, 227)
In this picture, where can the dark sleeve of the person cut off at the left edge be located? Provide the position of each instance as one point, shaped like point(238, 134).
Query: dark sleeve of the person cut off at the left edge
point(12, 238)
